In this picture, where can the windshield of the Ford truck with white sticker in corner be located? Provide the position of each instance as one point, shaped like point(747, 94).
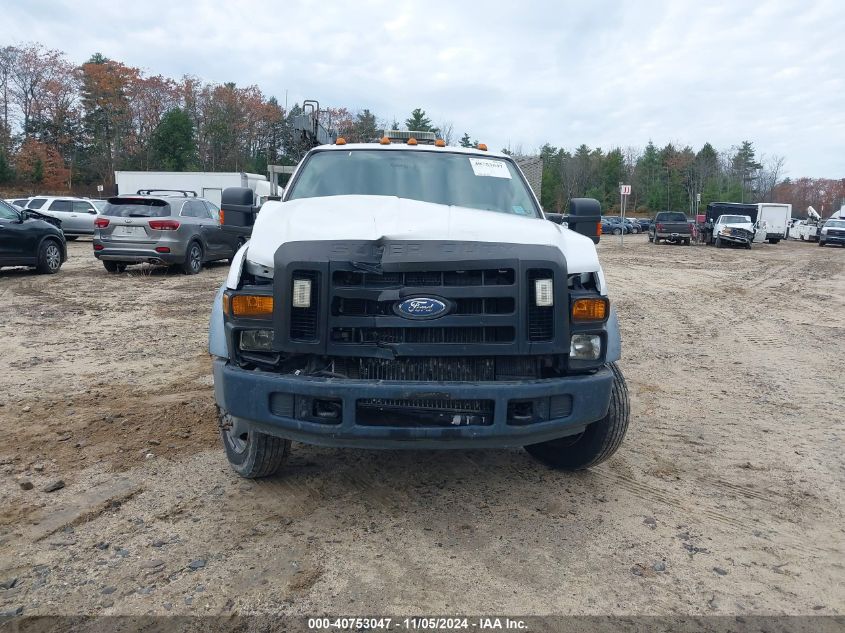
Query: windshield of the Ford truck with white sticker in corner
point(477, 182)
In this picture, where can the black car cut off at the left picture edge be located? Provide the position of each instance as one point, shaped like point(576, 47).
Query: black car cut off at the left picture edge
point(27, 238)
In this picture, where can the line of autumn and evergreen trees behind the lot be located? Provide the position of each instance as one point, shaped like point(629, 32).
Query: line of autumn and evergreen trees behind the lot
point(67, 127)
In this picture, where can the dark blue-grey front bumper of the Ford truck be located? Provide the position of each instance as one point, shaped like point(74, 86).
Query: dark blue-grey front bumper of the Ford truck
point(270, 403)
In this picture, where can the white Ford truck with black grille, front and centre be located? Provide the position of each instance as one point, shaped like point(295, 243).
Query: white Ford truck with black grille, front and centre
point(405, 295)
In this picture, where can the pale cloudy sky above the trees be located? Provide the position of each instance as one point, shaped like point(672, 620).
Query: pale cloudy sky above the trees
point(511, 74)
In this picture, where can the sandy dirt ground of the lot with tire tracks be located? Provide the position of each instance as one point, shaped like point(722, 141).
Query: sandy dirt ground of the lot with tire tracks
point(725, 498)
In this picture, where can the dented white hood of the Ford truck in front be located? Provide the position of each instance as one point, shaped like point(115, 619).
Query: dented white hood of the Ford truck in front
point(382, 217)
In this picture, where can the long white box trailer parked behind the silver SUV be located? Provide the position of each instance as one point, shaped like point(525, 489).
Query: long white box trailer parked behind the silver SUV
point(206, 184)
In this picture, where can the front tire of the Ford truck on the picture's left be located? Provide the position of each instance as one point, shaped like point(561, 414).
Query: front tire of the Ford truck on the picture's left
point(251, 454)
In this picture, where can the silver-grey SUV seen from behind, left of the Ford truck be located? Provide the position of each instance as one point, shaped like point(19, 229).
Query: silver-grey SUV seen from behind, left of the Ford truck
point(170, 227)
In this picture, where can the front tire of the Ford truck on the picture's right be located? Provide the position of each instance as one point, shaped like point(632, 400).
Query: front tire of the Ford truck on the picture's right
point(599, 440)
